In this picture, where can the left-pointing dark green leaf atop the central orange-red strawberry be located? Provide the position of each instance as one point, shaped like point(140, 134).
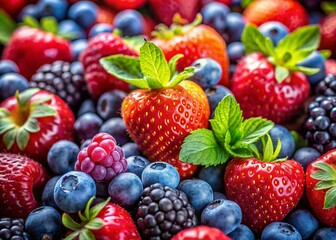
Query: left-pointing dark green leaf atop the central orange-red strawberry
point(126, 68)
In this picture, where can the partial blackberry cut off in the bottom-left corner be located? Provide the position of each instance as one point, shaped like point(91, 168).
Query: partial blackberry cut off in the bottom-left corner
point(11, 228)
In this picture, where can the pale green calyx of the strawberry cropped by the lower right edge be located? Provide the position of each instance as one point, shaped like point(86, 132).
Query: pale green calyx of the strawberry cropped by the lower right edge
point(326, 174)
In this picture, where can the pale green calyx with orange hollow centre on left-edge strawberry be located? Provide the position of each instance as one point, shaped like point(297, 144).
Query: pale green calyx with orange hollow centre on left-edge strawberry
point(16, 126)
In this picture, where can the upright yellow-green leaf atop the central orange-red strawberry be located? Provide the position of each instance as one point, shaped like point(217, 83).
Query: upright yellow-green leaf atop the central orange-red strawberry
point(153, 64)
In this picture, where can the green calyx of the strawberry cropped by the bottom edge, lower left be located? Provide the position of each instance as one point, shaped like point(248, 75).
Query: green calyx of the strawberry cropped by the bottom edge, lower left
point(89, 221)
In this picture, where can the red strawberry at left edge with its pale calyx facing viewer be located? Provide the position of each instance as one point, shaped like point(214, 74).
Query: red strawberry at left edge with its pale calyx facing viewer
point(31, 122)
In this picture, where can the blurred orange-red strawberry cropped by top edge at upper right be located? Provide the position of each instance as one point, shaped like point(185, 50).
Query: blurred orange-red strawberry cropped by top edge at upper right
point(289, 12)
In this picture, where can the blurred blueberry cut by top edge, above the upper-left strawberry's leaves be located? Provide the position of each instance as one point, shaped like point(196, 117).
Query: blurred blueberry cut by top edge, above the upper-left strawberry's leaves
point(52, 8)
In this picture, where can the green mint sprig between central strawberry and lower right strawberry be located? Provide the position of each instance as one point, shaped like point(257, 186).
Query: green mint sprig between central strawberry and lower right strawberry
point(231, 136)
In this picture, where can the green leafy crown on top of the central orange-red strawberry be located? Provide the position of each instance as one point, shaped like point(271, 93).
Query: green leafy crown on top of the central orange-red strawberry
point(150, 71)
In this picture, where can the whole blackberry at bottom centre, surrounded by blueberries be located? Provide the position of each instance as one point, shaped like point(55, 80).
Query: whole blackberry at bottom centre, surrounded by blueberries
point(163, 211)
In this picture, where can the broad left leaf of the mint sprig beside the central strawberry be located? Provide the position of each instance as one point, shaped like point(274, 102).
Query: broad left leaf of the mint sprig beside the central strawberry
point(201, 148)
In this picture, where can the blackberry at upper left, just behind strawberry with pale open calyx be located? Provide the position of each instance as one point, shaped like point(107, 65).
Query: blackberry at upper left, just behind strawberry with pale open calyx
point(63, 79)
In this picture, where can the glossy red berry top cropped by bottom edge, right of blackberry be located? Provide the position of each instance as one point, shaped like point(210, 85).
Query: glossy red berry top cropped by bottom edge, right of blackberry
point(200, 232)
